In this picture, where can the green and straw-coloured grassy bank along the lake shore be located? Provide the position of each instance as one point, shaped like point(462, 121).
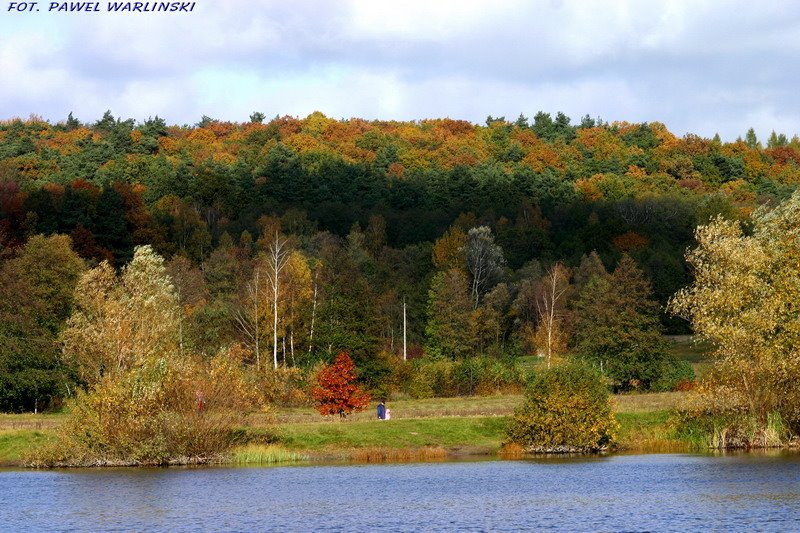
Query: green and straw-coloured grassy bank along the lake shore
point(420, 429)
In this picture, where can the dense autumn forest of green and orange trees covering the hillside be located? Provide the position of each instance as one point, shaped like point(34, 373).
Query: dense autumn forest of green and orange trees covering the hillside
point(299, 238)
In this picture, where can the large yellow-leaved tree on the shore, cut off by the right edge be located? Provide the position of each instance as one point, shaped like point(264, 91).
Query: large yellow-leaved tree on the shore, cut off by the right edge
point(745, 301)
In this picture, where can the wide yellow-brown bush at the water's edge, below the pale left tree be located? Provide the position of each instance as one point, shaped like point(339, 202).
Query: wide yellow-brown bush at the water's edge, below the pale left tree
point(161, 413)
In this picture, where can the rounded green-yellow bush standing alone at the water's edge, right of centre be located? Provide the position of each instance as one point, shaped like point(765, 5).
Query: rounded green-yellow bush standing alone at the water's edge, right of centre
point(567, 409)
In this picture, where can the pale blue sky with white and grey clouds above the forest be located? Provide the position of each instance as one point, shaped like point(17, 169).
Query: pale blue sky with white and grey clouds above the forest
point(700, 67)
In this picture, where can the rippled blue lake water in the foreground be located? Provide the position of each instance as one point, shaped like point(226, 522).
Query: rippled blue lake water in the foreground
point(674, 492)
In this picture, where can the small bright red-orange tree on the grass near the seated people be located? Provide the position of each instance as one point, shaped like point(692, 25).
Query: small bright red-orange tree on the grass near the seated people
point(336, 391)
